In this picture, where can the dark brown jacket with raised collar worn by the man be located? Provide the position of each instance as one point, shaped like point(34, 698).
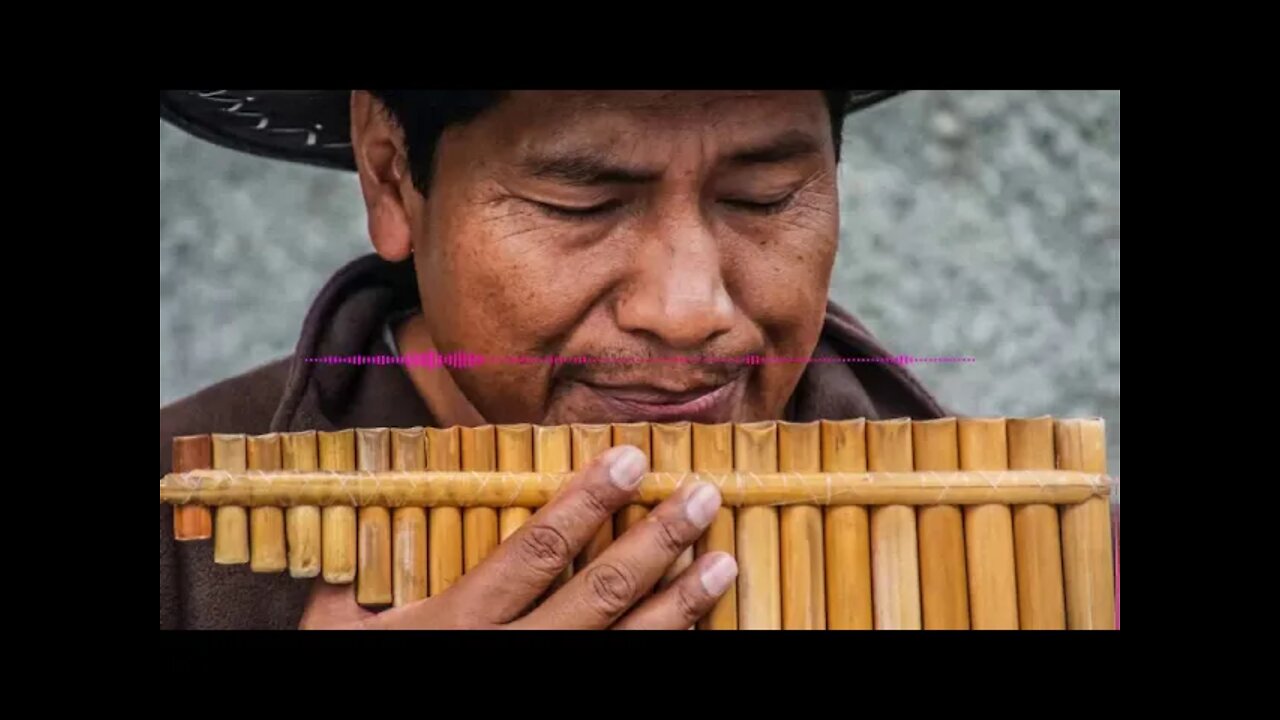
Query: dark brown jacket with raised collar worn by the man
point(349, 318)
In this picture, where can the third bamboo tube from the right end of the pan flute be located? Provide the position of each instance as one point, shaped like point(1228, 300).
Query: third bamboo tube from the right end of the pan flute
point(989, 531)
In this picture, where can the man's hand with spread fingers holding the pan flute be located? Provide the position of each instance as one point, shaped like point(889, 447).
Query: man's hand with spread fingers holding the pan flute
point(499, 593)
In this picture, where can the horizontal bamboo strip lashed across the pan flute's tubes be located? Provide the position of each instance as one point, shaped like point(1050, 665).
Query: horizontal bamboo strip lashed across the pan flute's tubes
point(534, 490)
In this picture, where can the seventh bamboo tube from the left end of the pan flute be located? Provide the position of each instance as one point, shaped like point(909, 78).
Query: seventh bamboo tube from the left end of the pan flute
point(409, 525)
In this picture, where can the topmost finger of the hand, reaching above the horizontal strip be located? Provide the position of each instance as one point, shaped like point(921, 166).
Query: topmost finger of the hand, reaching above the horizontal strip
point(527, 563)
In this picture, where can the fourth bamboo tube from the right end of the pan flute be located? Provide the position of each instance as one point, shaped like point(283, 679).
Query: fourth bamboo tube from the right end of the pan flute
point(944, 581)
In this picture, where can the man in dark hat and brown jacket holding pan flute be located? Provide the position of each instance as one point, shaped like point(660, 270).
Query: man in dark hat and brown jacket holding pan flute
point(627, 227)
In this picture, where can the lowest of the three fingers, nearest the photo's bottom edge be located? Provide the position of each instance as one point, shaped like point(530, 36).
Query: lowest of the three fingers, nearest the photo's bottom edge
point(688, 599)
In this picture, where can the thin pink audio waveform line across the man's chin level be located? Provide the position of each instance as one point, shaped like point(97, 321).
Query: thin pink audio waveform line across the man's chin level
point(473, 361)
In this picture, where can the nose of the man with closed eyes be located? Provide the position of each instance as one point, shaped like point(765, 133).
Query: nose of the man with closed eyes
point(676, 294)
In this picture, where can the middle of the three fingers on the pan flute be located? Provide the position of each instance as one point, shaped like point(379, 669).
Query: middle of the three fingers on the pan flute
point(606, 589)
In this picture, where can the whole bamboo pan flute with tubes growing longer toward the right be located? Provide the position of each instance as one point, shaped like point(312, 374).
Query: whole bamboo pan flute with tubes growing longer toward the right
point(957, 523)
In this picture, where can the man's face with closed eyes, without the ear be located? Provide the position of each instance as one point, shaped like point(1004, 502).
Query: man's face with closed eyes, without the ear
point(644, 230)
